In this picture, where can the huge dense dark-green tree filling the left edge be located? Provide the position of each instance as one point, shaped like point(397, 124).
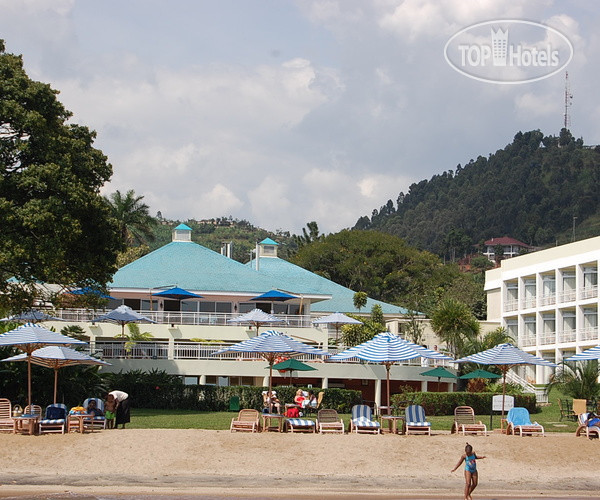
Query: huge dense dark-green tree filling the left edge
point(55, 227)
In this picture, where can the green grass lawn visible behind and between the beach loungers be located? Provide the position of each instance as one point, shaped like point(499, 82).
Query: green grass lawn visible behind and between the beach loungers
point(143, 418)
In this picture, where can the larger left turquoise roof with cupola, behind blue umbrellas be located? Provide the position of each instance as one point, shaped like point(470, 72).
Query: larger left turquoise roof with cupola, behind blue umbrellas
point(192, 267)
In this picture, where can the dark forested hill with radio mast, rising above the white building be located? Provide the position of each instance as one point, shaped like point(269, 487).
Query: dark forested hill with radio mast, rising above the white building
point(530, 190)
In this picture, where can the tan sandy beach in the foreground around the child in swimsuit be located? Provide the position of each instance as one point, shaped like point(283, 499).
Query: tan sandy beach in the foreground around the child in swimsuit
point(216, 464)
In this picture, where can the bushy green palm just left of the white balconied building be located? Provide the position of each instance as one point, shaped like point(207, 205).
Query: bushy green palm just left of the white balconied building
point(455, 325)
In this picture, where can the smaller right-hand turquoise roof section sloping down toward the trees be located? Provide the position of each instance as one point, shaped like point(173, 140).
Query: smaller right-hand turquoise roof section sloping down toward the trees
point(295, 279)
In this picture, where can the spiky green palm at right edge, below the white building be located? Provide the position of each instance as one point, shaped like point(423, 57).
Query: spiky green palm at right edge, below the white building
point(578, 380)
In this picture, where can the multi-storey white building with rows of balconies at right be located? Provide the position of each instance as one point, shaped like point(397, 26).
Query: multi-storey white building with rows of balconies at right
point(548, 301)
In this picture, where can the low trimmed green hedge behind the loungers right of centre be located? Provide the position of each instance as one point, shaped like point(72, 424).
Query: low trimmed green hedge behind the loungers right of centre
point(443, 403)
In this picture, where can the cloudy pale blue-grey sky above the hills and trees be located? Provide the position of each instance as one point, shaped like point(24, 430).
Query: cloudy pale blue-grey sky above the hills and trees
point(281, 112)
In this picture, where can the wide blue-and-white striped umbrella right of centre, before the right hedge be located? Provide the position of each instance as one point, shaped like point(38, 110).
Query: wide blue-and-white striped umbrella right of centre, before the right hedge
point(387, 349)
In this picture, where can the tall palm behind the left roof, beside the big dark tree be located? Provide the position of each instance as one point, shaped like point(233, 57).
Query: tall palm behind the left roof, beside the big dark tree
point(134, 220)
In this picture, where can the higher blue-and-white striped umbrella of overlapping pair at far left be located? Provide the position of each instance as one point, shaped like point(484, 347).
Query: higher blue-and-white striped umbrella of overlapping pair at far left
point(28, 338)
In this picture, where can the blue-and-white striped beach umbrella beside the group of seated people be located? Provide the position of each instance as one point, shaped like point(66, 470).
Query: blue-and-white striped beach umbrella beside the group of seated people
point(272, 344)
